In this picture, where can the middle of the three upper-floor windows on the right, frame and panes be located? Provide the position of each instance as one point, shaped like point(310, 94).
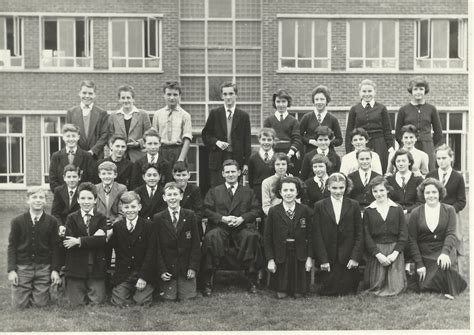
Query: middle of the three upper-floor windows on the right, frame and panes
point(373, 44)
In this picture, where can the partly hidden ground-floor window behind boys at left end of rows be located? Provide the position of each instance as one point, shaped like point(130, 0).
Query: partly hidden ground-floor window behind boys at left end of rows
point(51, 141)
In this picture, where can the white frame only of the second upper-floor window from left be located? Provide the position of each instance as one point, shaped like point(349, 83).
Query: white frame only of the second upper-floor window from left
point(55, 61)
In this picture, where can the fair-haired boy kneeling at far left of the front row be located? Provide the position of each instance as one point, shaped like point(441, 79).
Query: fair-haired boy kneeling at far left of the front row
point(33, 253)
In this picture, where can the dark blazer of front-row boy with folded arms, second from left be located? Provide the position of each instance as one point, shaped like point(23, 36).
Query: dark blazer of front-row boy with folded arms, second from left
point(77, 257)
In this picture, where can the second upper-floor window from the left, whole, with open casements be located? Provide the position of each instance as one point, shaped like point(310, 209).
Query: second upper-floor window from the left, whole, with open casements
point(66, 43)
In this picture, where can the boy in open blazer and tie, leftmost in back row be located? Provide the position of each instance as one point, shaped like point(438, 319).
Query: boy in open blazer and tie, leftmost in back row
point(91, 120)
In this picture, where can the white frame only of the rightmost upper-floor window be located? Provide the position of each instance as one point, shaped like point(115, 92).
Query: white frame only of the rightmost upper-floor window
point(462, 45)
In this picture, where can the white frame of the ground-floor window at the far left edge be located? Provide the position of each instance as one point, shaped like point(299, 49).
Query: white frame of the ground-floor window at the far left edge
point(9, 136)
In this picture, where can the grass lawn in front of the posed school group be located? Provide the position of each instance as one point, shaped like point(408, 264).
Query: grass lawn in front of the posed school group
point(231, 308)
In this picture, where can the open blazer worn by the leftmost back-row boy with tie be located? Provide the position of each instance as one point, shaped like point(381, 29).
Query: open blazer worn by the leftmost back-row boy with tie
point(98, 129)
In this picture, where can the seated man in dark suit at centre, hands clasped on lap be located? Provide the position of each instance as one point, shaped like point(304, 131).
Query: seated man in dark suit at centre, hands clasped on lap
point(231, 209)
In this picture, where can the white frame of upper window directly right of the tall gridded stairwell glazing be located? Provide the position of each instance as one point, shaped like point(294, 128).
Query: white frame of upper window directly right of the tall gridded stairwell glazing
point(296, 58)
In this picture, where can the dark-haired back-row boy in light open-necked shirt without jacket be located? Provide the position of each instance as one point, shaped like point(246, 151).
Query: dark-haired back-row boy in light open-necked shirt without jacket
point(173, 124)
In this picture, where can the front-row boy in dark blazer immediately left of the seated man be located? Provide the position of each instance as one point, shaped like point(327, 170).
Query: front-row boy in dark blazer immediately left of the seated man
point(178, 247)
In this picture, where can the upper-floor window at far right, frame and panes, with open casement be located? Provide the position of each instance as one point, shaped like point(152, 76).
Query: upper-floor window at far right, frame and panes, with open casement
point(441, 44)
